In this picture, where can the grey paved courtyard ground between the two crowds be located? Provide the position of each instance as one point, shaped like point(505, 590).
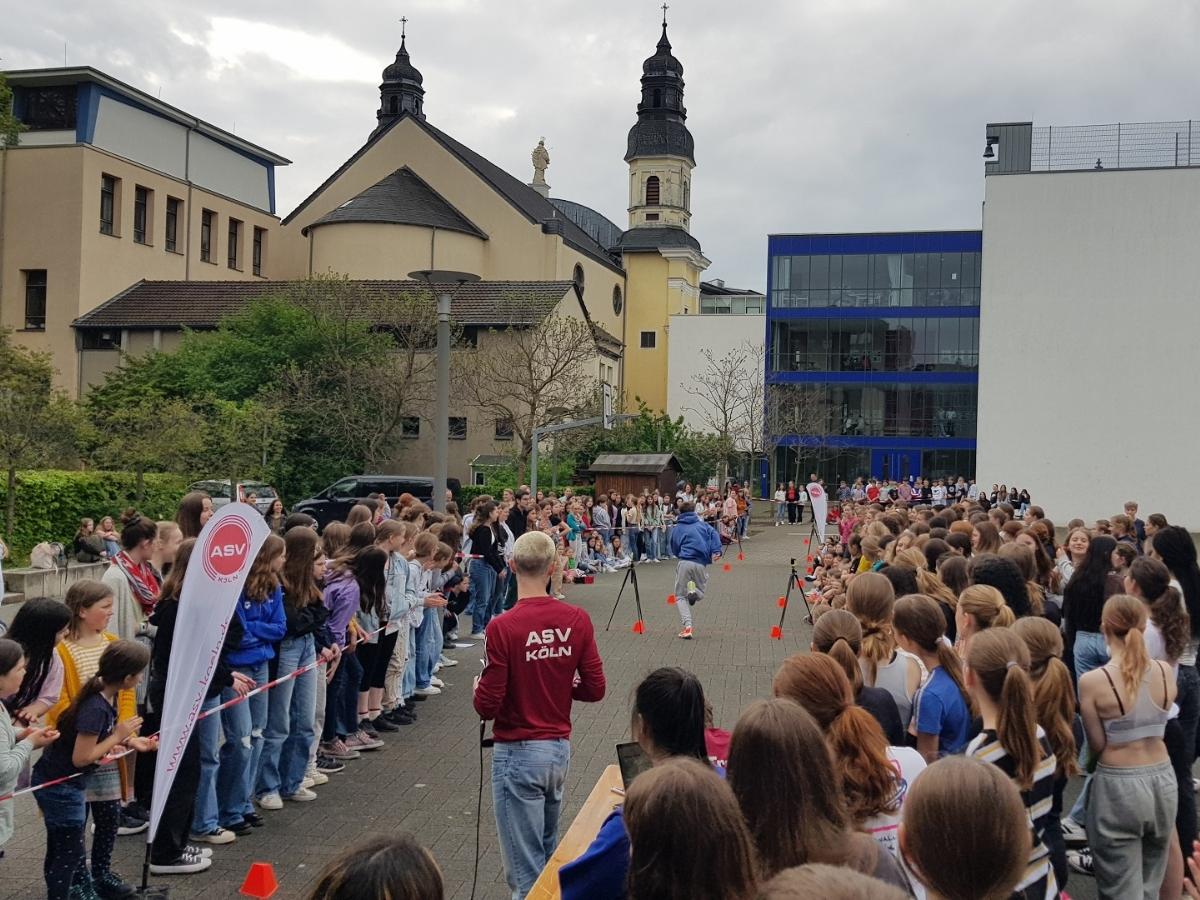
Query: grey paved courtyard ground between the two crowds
point(427, 781)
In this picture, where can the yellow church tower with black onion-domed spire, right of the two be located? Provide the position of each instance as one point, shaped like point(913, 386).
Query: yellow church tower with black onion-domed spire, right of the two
point(663, 260)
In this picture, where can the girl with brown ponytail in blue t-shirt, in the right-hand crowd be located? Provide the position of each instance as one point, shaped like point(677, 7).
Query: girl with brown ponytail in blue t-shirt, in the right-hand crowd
point(941, 709)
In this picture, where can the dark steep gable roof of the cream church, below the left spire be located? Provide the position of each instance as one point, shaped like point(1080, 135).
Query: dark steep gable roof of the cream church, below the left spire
point(529, 202)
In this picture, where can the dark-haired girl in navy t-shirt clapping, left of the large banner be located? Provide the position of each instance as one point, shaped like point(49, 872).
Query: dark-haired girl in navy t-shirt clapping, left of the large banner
point(88, 731)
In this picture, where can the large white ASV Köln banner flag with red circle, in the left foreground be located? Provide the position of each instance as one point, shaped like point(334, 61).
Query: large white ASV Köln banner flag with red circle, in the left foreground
point(220, 562)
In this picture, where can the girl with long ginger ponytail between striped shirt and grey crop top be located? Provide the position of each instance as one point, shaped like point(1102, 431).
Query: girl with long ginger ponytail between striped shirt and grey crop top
point(1054, 698)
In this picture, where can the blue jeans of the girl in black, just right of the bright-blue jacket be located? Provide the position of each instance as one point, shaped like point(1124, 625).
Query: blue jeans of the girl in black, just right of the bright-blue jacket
point(290, 713)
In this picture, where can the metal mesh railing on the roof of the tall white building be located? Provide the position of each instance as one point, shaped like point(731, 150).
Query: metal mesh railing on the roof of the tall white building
point(1124, 146)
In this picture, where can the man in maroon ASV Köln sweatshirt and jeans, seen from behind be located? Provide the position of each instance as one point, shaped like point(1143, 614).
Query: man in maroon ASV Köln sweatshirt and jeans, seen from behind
point(542, 656)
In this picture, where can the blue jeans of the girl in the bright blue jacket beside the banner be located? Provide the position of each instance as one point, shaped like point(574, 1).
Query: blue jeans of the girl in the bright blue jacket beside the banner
point(243, 748)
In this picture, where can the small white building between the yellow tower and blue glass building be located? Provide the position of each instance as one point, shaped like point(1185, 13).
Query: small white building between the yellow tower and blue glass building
point(731, 321)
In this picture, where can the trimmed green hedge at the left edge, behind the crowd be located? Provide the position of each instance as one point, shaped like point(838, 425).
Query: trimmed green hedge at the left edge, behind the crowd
point(51, 503)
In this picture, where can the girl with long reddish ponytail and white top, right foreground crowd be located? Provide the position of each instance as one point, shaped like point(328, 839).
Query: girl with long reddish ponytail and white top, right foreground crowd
point(875, 777)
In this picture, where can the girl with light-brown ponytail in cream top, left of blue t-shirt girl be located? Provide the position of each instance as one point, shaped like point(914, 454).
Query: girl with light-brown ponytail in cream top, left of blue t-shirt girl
point(872, 599)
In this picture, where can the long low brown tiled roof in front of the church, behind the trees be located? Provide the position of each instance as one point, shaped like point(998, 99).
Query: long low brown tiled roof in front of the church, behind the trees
point(203, 304)
